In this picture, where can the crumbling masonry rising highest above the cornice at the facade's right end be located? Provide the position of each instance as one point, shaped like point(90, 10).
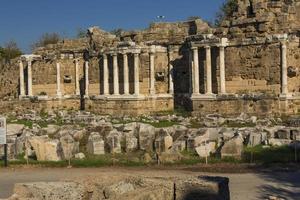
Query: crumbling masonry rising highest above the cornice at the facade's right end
point(259, 18)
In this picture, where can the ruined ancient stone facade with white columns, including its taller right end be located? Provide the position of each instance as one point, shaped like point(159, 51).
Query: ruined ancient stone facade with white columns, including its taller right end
point(248, 64)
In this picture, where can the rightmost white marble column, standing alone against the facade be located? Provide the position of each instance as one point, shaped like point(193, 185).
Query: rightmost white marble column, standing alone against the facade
point(284, 78)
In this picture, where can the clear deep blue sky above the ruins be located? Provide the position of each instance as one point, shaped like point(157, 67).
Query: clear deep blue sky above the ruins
point(24, 21)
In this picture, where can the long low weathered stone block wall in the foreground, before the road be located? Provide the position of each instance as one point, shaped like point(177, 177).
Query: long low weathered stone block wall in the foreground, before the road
point(127, 188)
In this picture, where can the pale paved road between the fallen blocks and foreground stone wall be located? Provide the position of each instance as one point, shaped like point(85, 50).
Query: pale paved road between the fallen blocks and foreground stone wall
point(247, 186)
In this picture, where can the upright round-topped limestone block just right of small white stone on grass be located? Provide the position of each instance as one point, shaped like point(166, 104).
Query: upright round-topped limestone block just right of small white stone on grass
point(95, 144)
